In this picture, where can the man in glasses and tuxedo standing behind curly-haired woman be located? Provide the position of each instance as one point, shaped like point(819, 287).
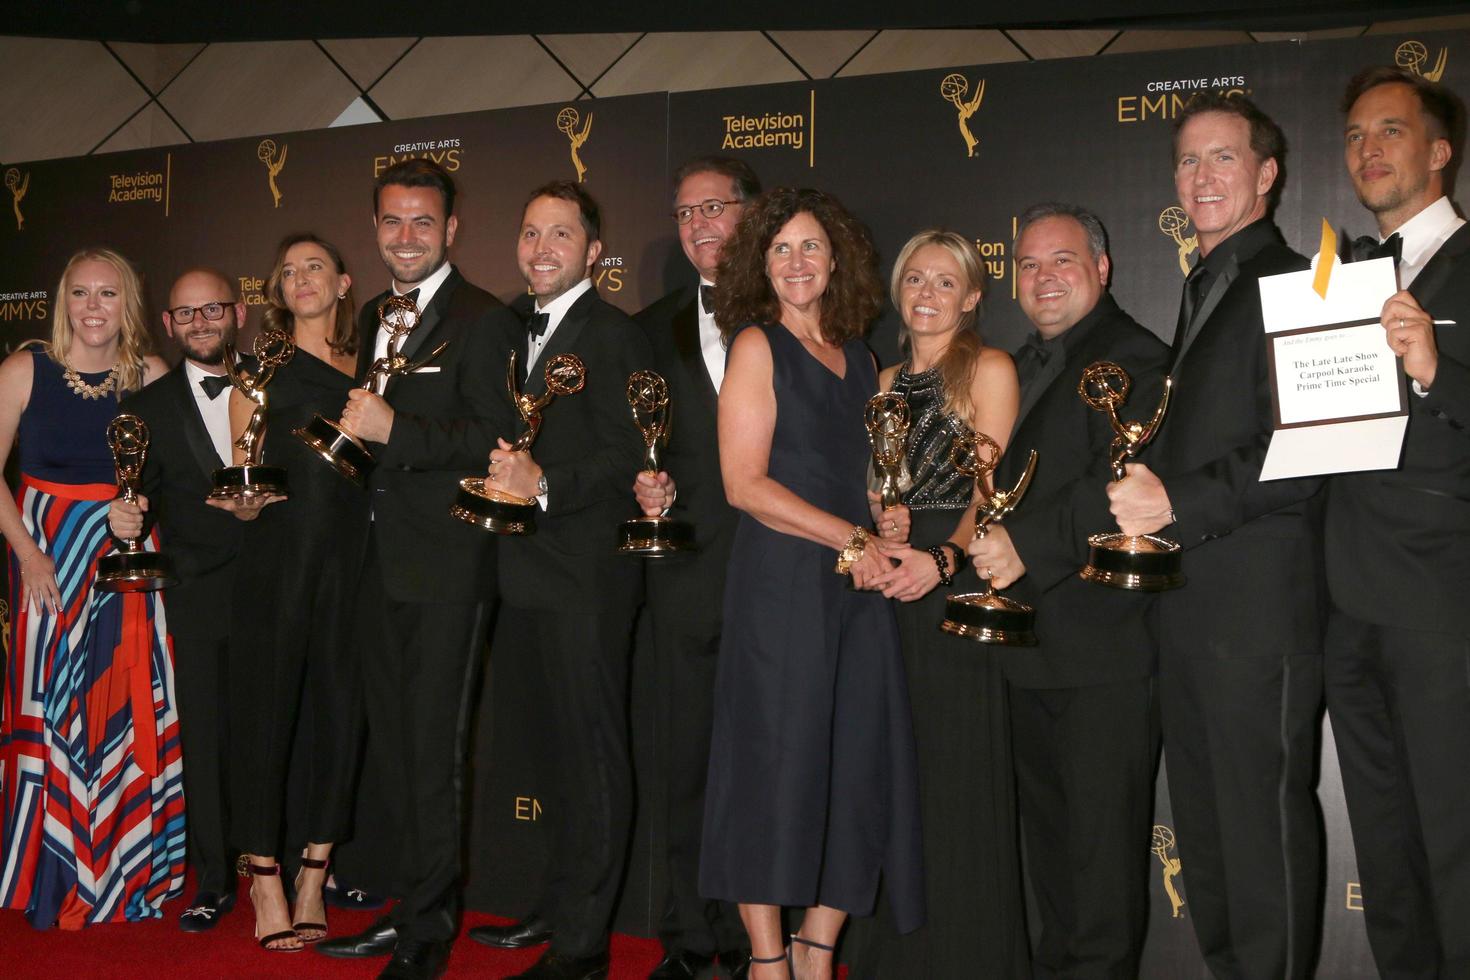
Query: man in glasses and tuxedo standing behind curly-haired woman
point(686, 594)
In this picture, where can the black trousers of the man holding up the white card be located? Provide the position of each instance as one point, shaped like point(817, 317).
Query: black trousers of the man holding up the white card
point(1400, 709)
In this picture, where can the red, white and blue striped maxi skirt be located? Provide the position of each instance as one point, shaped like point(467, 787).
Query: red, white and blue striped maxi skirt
point(90, 763)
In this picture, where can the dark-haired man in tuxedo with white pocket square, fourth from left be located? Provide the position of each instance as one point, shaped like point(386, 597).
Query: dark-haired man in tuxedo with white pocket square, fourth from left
point(423, 610)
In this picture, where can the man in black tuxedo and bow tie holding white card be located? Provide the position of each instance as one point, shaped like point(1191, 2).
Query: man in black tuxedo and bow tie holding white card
point(1399, 552)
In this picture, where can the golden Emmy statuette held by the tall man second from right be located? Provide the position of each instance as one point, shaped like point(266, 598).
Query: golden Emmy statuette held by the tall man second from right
point(1143, 563)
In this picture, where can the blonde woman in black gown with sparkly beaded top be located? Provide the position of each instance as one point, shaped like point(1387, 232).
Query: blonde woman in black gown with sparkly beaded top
point(967, 785)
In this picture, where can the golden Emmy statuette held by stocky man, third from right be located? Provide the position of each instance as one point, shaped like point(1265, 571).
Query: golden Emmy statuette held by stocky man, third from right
point(984, 616)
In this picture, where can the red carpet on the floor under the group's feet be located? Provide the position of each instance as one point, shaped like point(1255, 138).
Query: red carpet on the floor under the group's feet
point(159, 950)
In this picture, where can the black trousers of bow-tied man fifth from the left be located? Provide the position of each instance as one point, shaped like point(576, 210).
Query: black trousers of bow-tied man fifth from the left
point(586, 665)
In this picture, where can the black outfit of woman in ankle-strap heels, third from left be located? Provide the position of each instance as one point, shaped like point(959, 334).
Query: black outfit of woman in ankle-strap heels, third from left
point(292, 634)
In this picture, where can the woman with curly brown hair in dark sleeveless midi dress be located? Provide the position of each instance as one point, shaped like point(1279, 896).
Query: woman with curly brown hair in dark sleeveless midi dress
point(812, 793)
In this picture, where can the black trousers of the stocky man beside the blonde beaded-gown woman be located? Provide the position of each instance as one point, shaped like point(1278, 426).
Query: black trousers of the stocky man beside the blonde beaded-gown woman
point(1086, 762)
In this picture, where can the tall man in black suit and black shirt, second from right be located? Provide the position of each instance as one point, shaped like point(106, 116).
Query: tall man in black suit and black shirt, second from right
point(1240, 646)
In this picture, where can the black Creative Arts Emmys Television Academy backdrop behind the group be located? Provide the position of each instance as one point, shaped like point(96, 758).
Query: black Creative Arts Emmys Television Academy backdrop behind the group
point(967, 149)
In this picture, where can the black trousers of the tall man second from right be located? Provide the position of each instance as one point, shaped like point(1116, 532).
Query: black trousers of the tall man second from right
point(1241, 749)
